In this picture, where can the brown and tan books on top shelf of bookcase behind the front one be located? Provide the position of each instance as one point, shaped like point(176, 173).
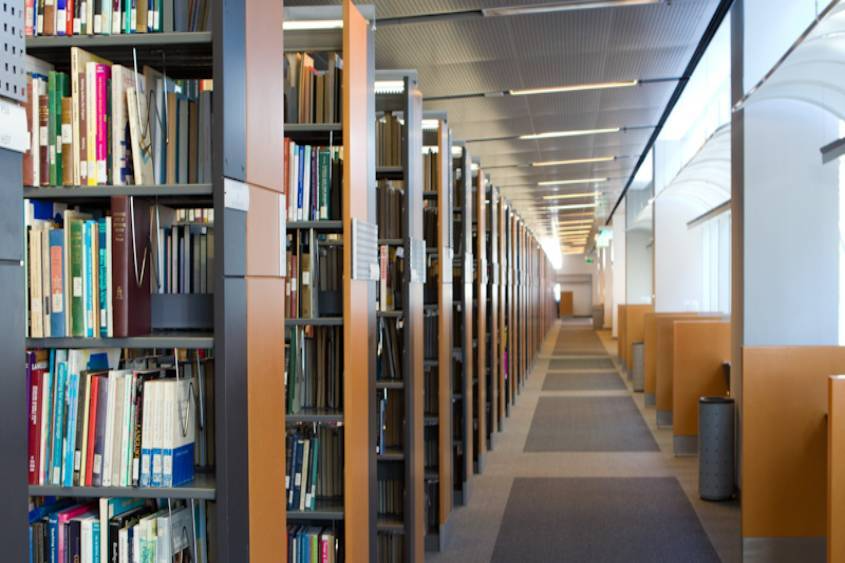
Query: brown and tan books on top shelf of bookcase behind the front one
point(313, 88)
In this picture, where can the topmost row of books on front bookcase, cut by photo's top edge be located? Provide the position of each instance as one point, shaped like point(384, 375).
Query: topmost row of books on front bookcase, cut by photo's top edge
point(112, 17)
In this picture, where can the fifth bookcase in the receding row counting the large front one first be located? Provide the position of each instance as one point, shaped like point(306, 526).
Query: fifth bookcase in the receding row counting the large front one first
point(463, 401)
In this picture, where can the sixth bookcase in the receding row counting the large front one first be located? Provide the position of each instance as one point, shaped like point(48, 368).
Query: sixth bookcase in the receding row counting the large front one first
point(486, 396)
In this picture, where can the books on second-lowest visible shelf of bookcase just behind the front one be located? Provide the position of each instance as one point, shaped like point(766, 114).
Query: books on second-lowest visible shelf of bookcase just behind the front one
point(313, 466)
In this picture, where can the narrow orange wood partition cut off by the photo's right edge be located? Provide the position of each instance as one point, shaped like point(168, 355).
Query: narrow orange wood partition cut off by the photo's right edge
point(836, 470)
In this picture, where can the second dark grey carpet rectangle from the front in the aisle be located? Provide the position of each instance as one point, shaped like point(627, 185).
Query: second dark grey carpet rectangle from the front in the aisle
point(588, 424)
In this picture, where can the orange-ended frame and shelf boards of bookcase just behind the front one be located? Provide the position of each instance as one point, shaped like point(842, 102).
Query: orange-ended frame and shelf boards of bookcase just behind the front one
point(354, 517)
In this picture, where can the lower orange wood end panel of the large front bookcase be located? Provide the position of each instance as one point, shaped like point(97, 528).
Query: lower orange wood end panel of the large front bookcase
point(266, 417)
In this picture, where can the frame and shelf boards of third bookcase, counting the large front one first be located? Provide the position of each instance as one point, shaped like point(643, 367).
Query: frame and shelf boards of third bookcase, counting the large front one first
point(410, 464)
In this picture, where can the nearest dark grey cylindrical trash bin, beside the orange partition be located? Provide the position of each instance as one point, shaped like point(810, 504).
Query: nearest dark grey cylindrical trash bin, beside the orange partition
point(716, 448)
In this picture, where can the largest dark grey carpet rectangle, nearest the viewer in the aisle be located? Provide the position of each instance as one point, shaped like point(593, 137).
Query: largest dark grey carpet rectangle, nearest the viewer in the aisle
point(601, 521)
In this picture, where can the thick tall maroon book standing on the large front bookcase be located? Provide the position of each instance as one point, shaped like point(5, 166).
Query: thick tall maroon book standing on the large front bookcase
point(130, 286)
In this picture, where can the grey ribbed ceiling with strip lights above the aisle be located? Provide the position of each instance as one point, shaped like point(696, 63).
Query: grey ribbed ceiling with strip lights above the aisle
point(454, 56)
